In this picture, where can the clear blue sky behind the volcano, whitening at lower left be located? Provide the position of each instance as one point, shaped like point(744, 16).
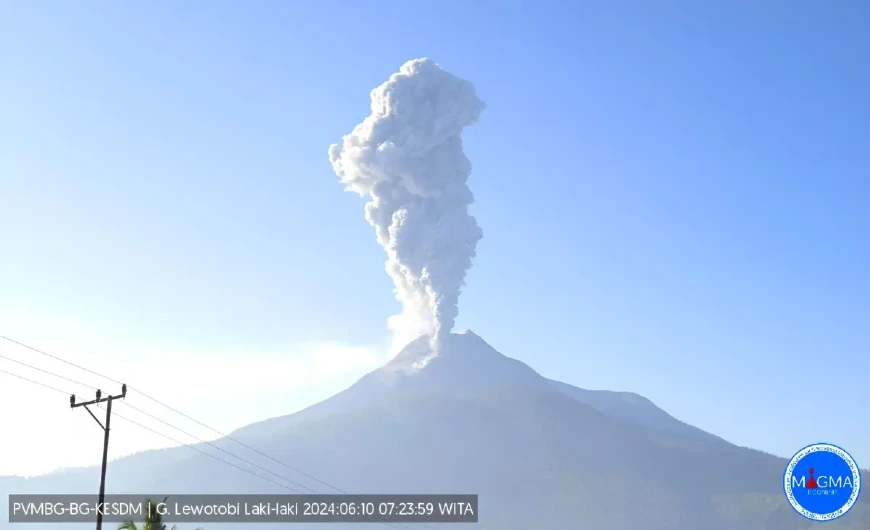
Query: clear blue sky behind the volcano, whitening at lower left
point(675, 200)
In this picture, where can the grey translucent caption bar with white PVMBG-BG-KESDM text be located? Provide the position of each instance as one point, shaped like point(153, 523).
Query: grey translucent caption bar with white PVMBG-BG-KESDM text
point(246, 508)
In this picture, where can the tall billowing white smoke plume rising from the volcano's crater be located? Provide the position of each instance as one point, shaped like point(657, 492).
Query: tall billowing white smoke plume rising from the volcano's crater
point(407, 158)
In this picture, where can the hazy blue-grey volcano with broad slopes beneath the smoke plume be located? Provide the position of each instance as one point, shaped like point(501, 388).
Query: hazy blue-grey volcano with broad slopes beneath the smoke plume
point(541, 454)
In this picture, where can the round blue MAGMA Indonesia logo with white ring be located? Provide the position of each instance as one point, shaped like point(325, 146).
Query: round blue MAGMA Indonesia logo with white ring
point(822, 482)
